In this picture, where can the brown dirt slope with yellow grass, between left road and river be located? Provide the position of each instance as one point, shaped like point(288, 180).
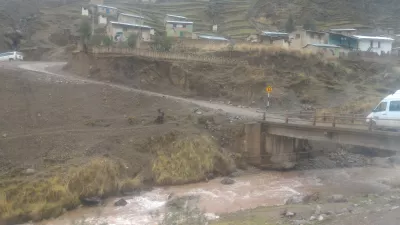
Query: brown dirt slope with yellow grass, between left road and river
point(62, 141)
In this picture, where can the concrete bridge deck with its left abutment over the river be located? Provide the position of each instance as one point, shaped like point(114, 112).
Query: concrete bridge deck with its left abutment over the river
point(276, 145)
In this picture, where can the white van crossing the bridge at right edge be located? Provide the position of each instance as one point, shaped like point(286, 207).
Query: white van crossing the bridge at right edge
point(387, 113)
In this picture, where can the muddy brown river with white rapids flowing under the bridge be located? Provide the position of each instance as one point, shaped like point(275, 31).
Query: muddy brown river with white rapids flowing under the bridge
point(249, 191)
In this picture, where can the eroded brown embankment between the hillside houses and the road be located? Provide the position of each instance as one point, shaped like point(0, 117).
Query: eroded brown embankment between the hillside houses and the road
point(298, 80)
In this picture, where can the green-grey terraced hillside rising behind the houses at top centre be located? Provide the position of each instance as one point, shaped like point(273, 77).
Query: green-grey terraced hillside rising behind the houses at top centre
point(234, 15)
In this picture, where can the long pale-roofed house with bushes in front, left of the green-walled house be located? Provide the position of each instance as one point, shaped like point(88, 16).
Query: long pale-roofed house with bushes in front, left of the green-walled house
point(119, 31)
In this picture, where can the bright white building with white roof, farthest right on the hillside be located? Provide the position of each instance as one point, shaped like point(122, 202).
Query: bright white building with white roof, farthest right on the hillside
point(375, 44)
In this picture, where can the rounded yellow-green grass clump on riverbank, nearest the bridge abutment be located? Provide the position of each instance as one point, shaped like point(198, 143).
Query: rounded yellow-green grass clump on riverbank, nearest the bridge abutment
point(189, 160)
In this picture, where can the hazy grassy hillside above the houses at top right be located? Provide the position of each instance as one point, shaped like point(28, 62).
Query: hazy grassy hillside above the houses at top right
point(327, 14)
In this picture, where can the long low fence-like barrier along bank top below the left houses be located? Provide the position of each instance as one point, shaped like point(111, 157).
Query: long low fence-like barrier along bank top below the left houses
point(165, 55)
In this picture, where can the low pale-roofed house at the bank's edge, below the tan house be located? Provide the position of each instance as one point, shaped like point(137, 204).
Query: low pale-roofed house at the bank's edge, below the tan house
point(326, 50)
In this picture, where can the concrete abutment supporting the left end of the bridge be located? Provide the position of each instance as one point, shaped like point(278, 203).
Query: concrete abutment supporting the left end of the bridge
point(270, 151)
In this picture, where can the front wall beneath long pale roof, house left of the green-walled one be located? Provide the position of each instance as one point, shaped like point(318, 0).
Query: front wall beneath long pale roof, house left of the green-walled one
point(113, 30)
